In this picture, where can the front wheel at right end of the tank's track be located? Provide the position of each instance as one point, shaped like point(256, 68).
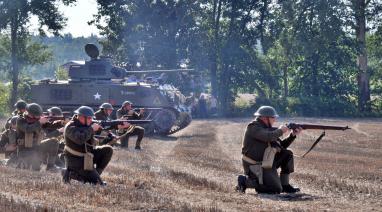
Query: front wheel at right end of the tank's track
point(163, 121)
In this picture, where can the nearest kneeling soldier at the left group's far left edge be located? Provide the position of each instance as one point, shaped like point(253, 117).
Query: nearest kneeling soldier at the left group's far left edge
point(32, 150)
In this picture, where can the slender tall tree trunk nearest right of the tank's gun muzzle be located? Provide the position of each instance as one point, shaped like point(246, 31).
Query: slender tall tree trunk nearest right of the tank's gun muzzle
point(215, 46)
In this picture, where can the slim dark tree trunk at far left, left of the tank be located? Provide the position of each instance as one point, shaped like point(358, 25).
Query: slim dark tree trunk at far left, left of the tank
point(14, 61)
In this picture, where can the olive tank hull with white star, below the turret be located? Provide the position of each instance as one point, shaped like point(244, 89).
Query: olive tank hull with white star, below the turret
point(166, 115)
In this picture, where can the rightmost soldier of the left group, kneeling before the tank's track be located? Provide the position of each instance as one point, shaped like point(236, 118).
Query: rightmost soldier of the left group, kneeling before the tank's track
point(127, 112)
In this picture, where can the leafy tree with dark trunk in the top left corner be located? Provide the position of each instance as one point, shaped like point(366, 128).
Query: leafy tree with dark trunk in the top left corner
point(15, 16)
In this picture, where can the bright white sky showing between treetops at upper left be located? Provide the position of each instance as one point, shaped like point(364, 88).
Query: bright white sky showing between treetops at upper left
point(78, 15)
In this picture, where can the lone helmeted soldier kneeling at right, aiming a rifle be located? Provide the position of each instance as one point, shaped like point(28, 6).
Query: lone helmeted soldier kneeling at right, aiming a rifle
point(264, 152)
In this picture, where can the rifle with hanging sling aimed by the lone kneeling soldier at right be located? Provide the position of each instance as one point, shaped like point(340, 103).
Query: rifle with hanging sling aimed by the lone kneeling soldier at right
point(294, 126)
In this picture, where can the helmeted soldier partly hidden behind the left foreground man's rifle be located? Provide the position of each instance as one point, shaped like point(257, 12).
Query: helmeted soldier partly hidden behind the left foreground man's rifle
point(103, 114)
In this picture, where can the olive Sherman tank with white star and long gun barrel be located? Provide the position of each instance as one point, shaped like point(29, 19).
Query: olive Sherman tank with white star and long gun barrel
point(97, 81)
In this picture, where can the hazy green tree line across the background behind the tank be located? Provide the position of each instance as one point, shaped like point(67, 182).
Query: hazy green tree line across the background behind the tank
point(310, 57)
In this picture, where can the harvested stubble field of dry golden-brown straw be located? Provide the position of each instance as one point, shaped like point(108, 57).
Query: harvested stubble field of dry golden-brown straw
point(196, 169)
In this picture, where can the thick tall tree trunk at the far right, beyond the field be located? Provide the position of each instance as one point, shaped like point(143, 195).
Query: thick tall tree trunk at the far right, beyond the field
point(363, 75)
